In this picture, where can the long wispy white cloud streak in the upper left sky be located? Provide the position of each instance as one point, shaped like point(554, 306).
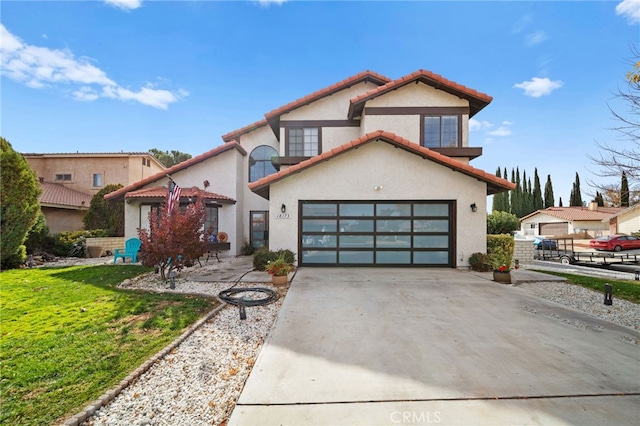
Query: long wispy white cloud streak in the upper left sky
point(39, 67)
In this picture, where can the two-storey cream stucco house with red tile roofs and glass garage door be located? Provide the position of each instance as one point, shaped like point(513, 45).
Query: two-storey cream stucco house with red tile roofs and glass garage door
point(368, 171)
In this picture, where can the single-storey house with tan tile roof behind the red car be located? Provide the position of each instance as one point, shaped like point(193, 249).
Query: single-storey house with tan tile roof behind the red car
point(555, 221)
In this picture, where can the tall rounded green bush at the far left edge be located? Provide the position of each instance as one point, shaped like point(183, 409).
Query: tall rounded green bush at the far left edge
point(19, 201)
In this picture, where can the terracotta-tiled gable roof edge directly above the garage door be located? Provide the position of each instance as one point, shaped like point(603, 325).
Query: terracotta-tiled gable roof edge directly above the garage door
point(494, 183)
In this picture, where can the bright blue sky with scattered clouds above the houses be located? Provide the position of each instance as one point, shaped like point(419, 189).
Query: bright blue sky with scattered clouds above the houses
point(100, 76)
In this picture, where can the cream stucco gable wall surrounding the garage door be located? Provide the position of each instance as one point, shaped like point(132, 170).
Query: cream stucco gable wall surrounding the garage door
point(403, 176)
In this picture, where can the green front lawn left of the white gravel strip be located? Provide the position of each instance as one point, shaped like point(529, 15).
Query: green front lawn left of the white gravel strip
point(69, 335)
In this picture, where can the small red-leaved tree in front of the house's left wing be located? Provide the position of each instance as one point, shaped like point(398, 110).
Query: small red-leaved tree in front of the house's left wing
point(175, 238)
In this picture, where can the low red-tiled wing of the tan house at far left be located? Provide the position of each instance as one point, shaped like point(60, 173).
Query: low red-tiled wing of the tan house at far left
point(63, 207)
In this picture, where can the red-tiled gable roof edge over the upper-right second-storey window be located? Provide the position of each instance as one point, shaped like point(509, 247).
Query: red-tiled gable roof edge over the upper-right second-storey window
point(430, 78)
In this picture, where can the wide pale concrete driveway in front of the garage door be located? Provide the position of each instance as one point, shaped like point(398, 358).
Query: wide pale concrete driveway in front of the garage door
point(355, 346)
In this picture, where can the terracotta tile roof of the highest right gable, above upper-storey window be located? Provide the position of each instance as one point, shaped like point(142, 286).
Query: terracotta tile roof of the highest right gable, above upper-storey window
point(477, 100)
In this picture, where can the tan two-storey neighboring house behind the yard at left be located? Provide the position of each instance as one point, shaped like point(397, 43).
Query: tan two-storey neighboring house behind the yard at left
point(85, 173)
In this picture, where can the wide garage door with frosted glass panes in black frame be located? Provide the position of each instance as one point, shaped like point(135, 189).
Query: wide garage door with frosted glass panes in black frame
point(369, 233)
